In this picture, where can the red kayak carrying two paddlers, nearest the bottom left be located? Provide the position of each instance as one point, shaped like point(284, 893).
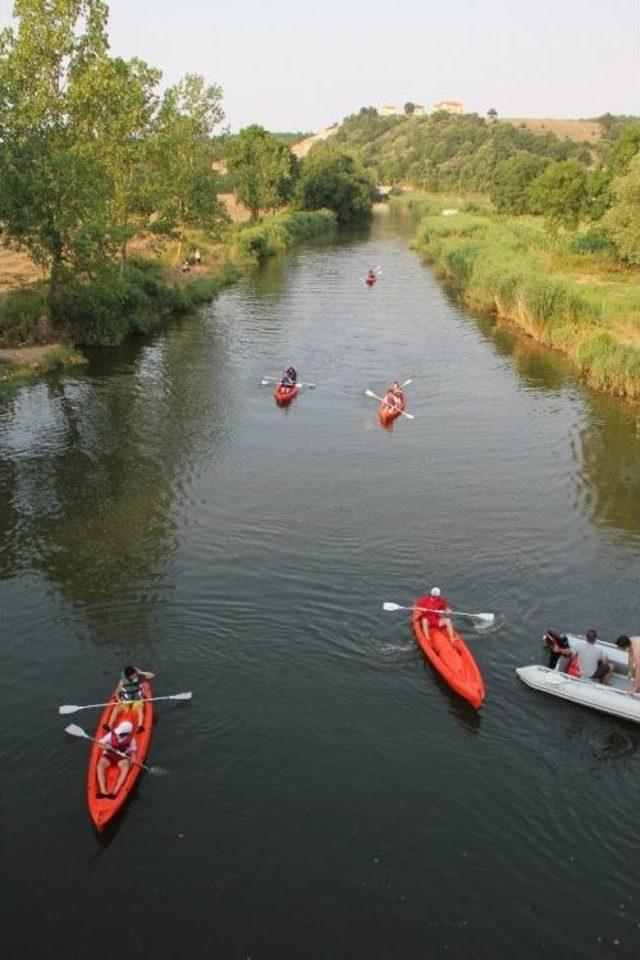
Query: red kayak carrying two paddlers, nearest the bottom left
point(104, 809)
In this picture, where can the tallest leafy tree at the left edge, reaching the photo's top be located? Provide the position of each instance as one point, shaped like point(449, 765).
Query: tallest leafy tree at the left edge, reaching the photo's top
point(53, 195)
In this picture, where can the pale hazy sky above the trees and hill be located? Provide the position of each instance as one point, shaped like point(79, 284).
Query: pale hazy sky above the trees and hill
point(300, 66)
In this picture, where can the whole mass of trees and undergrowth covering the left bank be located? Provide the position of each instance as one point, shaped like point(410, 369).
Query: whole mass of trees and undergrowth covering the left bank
point(106, 182)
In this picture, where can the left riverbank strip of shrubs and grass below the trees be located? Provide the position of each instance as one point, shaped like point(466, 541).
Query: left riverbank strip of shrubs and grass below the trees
point(149, 291)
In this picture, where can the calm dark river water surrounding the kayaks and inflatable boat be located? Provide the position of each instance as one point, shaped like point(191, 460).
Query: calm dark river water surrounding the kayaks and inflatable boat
point(325, 795)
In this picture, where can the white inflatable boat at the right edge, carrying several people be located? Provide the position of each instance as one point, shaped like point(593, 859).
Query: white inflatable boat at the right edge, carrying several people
point(613, 698)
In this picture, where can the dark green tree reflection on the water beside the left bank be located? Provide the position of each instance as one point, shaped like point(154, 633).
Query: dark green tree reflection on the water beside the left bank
point(92, 470)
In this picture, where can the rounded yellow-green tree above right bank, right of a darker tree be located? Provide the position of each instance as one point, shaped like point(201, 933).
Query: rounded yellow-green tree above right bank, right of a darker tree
point(560, 193)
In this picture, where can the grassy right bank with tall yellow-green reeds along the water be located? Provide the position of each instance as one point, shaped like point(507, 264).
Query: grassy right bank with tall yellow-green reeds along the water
point(564, 290)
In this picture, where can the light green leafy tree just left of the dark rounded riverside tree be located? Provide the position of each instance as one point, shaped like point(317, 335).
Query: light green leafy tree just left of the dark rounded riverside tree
point(262, 169)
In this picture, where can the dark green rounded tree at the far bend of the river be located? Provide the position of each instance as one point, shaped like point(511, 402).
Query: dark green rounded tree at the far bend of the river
point(335, 178)
